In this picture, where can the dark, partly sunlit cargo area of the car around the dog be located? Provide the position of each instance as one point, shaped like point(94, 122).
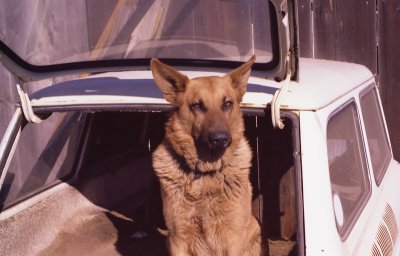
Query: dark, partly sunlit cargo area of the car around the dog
point(112, 206)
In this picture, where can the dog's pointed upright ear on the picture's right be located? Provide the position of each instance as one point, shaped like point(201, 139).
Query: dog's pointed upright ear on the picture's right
point(240, 76)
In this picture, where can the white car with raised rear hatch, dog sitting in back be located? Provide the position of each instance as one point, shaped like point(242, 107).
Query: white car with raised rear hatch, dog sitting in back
point(75, 160)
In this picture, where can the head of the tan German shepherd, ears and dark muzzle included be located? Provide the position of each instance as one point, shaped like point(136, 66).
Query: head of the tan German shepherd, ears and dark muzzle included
point(207, 108)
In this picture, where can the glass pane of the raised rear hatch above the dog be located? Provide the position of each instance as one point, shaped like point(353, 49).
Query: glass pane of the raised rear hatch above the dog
point(54, 32)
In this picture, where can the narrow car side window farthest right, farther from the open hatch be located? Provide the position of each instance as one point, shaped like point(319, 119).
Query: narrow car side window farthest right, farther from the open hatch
point(376, 134)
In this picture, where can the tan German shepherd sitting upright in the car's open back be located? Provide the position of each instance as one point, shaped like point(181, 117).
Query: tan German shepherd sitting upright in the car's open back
point(203, 164)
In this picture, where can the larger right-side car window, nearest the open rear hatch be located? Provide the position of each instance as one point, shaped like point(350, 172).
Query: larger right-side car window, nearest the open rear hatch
point(347, 167)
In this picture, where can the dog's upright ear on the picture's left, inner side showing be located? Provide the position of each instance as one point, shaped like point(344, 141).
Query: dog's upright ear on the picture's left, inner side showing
point(170, 81)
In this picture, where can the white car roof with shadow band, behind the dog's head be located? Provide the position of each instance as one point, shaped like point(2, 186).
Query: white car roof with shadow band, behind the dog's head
point(321, 82)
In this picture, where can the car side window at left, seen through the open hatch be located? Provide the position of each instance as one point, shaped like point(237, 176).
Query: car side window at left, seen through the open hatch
point(45, 153)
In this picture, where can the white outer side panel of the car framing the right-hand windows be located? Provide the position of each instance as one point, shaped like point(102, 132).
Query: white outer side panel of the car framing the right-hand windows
point(322, 237)
